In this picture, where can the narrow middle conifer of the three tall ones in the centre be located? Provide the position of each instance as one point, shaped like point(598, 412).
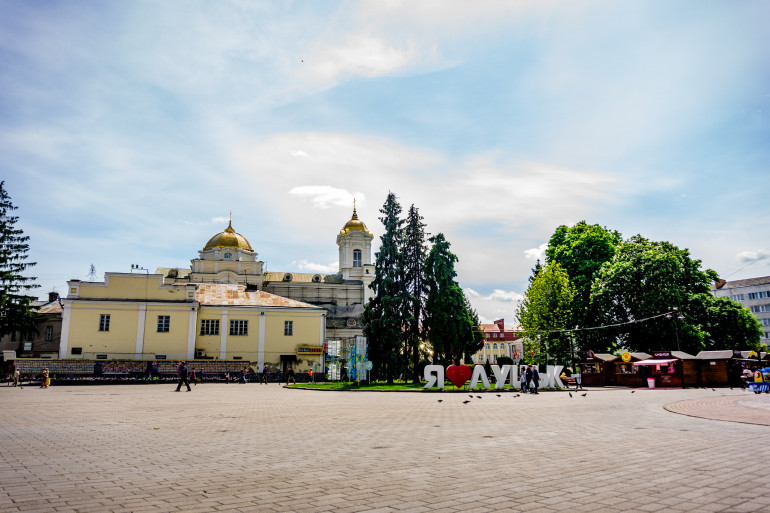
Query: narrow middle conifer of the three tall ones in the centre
point(414, 252)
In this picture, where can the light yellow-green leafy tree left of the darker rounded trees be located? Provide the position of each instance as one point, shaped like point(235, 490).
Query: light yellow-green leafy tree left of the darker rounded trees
point(545, 313)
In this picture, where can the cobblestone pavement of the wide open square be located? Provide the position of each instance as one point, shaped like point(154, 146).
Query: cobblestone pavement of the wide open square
point(265, 448)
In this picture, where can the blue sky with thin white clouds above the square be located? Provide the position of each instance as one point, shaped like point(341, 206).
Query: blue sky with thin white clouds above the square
point(130, 132)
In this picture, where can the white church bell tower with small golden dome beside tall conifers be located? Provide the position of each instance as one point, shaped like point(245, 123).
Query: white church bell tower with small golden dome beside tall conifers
point(355, 243)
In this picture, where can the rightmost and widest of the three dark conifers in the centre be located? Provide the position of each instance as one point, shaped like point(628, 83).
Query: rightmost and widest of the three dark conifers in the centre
point(448, 323)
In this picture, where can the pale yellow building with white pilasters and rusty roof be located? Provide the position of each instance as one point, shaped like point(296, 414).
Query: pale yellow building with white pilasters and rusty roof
point(138, 316)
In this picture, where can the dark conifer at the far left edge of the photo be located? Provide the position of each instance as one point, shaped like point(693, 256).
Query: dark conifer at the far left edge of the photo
point(15, 313)
